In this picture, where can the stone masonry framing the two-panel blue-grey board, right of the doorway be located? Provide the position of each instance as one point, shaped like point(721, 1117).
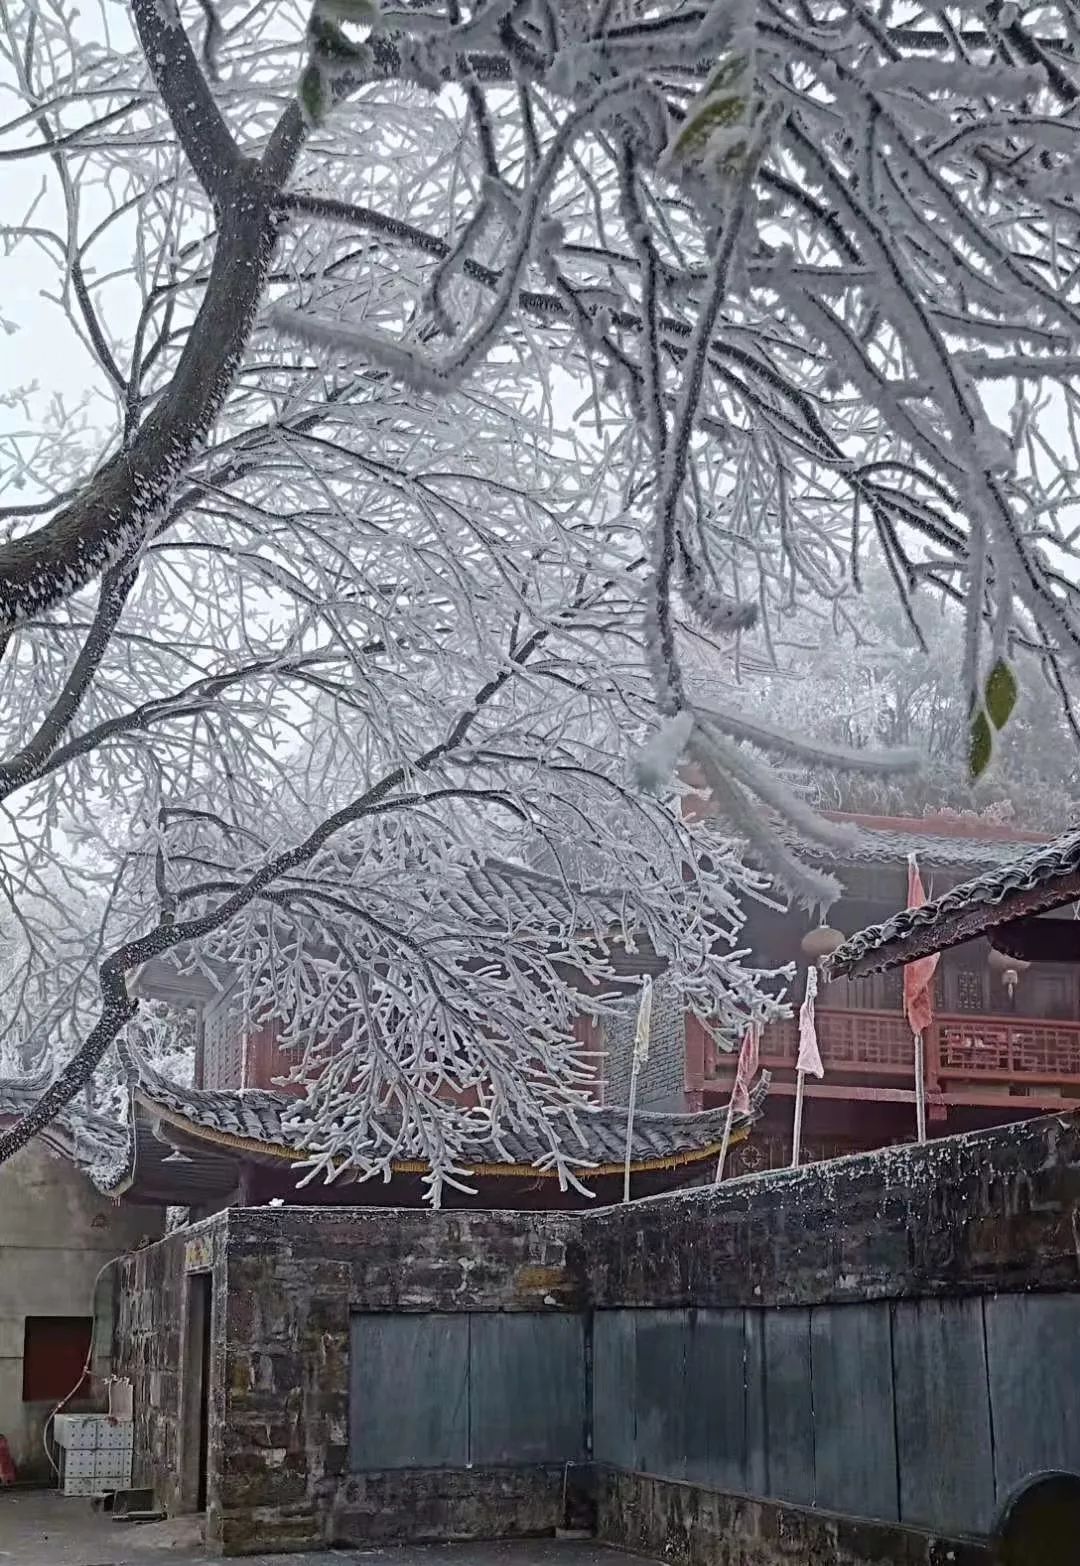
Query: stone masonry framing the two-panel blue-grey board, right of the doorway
point(293, 1279)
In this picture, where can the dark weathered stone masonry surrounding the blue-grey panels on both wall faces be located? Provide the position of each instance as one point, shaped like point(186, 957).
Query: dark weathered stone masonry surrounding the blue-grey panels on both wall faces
point(998, 1214)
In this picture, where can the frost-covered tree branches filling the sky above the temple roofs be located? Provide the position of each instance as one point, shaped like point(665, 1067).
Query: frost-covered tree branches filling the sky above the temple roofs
point(469, 395)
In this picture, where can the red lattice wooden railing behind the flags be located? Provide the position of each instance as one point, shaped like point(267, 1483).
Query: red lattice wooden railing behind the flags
point(959, 1048)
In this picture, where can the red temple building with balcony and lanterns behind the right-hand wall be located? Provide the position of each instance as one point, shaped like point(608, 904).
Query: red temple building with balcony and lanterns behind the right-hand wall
point(1006, 1039)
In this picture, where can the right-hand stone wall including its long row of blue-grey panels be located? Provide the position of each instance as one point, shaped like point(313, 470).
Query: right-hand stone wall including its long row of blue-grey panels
point(890, 1337)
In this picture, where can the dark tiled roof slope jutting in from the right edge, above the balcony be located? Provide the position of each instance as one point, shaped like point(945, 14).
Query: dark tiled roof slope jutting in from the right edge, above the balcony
point(1040, 870)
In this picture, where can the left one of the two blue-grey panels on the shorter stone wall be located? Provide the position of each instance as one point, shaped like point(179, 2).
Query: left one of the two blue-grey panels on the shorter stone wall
point(408, 1391)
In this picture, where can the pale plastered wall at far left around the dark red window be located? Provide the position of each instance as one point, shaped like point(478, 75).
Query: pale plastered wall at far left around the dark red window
point(56, 1235)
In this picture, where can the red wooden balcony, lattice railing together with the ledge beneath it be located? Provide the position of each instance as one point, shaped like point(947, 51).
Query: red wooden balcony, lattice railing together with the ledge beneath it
point(970, 1059)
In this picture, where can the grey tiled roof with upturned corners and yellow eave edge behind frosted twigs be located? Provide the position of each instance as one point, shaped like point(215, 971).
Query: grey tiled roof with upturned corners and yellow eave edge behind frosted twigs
point(279, 1122)
